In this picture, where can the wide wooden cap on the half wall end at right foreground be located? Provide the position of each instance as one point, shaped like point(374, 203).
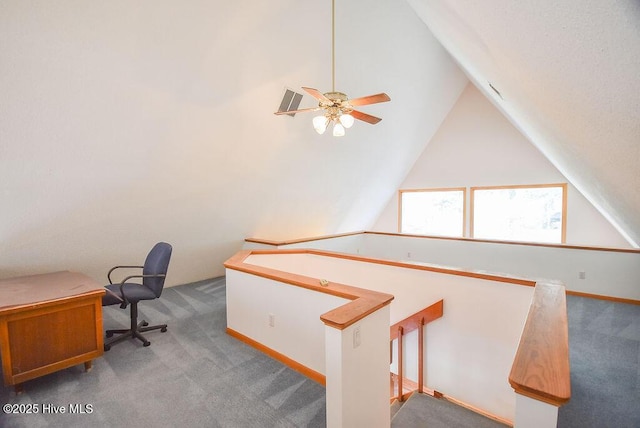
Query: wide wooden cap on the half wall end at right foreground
point(541, 368)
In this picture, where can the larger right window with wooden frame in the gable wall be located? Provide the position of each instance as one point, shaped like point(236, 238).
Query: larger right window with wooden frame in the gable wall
point(535, 213)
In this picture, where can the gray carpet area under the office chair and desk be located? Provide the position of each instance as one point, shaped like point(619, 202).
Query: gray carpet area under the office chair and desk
point(194, 375)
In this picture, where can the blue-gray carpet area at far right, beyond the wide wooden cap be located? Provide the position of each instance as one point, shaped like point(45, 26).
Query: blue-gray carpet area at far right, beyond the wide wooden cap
point(604, 345)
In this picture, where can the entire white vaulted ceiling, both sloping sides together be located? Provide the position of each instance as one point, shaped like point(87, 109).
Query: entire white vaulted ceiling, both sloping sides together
point(124, 123)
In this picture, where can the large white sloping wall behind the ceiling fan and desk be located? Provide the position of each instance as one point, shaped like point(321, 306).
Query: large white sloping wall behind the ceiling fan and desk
point(125, 123)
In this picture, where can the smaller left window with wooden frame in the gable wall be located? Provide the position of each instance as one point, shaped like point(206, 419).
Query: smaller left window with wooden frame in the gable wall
point(432, 212)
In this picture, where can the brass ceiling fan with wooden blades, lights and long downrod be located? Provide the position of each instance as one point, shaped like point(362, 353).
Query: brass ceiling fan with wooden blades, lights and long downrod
point(336, 106)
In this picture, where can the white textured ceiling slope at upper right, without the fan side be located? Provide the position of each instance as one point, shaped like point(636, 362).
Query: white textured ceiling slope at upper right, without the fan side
point(568, 77)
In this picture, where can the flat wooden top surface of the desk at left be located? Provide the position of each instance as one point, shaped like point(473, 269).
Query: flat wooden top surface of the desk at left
point(34, 289)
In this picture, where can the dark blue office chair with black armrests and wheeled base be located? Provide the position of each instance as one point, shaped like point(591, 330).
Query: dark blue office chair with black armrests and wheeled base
point(126, 293)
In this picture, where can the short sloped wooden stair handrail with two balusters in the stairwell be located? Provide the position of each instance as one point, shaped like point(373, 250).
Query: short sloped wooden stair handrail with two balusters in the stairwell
point(407, 325)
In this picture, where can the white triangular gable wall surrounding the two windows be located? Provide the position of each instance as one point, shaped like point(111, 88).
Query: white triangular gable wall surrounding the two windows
point(477, 146)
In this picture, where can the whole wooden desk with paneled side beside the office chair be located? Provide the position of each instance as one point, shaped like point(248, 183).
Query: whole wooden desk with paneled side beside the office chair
point(48, 322)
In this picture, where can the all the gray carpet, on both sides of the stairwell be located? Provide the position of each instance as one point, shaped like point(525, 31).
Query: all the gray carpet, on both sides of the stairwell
point(195, 375)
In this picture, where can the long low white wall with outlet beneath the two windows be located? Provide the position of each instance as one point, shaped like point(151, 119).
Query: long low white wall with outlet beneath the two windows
point(606, 273)
